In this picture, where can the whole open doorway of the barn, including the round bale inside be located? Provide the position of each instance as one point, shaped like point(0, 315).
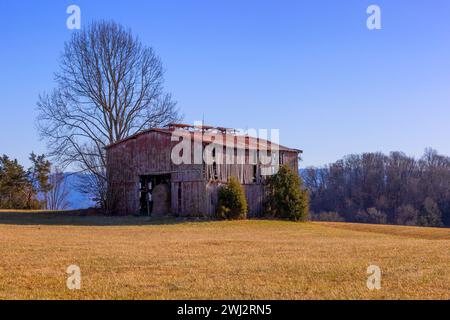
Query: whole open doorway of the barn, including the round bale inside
point(155, 195)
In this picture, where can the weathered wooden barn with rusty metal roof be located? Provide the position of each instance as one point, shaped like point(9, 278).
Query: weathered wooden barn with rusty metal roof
point(144, 178)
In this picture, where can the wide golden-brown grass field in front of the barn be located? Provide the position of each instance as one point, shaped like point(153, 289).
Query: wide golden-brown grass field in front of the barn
point(138, 258)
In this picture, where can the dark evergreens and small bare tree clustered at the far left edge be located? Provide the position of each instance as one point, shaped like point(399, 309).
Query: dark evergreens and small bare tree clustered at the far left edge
point(38, 187)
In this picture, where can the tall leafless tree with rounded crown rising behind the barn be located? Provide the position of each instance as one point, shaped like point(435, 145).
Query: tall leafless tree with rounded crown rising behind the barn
point(109, 87)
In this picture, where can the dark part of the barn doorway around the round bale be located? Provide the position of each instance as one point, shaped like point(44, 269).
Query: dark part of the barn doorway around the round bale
point(148, 184)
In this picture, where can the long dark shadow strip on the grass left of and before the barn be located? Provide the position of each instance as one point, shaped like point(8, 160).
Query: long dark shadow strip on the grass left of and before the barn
point(80, 219)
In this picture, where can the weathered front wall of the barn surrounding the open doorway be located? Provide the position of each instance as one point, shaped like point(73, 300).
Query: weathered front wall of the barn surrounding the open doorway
point(150, 154)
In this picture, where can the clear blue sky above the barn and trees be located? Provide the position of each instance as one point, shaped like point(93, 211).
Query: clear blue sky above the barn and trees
point(308, 67)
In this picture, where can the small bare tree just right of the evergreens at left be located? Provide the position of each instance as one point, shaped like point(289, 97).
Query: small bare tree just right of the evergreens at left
point(57, 196)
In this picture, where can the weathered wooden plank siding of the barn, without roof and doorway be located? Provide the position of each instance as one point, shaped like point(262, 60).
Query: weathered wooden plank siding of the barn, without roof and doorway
point(150, 154)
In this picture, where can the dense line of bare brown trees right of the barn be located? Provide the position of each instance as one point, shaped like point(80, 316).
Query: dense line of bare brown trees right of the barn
point(379, 188)
